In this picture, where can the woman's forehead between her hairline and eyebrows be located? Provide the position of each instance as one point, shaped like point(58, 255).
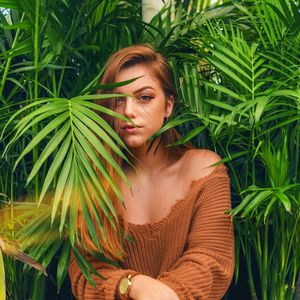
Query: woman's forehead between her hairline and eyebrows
point(140, 70)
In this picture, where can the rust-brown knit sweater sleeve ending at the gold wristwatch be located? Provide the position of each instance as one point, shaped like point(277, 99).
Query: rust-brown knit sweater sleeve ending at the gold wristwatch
point(106, 289)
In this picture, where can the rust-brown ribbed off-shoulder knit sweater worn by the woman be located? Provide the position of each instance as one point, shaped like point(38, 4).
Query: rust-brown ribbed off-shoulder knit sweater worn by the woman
point(191, 250)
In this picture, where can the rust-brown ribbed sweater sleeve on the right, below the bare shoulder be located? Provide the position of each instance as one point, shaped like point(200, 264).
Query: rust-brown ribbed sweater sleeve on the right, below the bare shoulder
point(206, 267)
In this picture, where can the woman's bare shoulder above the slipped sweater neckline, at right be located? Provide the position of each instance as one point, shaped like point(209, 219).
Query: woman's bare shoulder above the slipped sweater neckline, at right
point(200, 162)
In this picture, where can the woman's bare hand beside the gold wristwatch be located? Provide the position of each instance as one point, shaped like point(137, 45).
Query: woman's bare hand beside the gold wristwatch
point(147, 288)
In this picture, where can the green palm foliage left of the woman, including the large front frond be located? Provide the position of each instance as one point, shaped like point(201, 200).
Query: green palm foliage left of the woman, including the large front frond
point(52, 53)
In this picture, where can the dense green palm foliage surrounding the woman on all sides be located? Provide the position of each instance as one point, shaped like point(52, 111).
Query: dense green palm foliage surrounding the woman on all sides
point(236, 66)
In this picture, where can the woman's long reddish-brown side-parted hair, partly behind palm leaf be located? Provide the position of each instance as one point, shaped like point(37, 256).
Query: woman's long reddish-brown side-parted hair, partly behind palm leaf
point(112, 246)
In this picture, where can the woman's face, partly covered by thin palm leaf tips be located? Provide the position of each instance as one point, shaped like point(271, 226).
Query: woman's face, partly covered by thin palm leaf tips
point(146, 107)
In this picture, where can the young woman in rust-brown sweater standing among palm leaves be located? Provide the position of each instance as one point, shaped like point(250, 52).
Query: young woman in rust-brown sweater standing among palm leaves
point(182, 244)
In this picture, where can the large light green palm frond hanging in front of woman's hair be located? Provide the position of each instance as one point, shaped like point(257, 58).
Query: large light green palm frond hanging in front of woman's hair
point(75, 137)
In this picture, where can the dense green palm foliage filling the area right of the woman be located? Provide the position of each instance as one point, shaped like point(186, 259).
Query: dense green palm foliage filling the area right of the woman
point(247, 108)
